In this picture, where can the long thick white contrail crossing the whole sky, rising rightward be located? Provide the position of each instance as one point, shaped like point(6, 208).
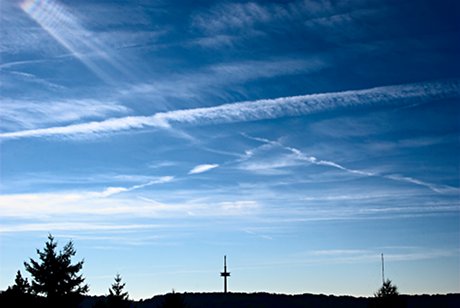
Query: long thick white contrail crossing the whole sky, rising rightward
point(261, 109)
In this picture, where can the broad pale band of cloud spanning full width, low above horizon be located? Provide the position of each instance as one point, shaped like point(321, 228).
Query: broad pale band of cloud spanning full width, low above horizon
point(110, 207)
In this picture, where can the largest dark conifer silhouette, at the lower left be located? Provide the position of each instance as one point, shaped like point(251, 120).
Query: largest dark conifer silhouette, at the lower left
point(54, 275)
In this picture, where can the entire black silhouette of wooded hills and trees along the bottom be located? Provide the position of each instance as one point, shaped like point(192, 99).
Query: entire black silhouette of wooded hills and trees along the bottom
point(56, 282)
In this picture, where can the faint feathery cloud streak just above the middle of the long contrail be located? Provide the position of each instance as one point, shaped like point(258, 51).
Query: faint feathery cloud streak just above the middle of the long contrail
point(222, 80)
